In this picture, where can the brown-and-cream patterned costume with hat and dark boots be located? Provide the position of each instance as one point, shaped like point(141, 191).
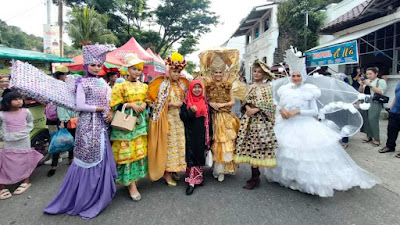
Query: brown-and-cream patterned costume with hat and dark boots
point(256, 140)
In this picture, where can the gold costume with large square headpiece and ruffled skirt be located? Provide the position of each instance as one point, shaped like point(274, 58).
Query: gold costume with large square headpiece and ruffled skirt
point(225, 124)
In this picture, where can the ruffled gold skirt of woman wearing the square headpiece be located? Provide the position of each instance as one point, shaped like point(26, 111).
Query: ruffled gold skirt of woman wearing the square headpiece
point(225, 127)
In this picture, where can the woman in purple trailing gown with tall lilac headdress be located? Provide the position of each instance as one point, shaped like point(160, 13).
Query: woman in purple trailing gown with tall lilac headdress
point(88, 186)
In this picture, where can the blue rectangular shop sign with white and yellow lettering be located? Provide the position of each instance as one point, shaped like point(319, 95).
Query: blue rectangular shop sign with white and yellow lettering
point(346, 53)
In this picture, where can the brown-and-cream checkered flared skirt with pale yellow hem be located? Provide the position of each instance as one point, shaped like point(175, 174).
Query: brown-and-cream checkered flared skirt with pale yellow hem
point(256, 142)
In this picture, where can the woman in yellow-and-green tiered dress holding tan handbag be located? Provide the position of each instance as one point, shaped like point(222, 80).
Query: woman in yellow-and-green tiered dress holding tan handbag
point(130, 147)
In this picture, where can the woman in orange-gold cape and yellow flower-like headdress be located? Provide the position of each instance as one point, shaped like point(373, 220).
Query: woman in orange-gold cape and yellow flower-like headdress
point(166, 132)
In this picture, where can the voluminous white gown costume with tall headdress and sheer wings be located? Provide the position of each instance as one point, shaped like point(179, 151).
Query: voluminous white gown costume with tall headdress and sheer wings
point(309, 157)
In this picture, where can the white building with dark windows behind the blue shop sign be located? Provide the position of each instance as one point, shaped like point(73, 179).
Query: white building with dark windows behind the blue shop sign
point(375, 26)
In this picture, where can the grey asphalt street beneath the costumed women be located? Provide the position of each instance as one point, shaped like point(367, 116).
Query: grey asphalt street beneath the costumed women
point(228, 202)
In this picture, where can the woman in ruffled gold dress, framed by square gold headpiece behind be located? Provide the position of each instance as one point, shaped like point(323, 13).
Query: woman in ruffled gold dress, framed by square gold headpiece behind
point(225, 124)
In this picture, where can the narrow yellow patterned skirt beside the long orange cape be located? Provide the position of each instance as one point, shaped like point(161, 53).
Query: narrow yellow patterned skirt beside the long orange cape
point(176, 161)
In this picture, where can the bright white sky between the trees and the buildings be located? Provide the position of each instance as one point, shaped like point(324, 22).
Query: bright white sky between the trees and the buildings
point(30, 15)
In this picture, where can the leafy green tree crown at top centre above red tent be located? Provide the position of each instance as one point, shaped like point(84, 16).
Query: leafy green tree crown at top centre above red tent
point(173, 22)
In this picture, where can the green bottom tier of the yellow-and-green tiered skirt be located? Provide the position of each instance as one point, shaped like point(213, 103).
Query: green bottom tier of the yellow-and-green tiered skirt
point(131, 172)
